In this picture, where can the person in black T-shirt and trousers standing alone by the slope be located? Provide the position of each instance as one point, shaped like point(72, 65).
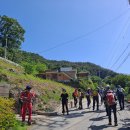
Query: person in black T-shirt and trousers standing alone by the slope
point(64, 97)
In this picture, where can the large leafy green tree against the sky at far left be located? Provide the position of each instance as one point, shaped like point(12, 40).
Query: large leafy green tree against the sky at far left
point(11, 33)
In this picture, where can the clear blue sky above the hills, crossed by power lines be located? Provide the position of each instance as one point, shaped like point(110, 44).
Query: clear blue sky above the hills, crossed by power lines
point(94, 31)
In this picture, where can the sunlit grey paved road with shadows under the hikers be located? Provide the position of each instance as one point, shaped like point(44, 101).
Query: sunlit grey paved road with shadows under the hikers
point(85, 119)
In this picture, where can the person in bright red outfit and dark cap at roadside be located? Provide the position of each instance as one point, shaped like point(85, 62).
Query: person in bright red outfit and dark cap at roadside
point(27, 98)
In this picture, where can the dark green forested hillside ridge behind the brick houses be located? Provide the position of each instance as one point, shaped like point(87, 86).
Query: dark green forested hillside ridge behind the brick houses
point(33, 58)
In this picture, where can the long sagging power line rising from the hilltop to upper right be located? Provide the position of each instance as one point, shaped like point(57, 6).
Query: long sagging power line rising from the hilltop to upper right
point(82, 36)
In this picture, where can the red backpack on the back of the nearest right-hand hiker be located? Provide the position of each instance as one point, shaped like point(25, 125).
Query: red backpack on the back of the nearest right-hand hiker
point(110, 99)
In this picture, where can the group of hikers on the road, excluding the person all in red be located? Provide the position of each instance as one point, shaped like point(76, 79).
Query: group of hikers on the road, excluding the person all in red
point(108, 98)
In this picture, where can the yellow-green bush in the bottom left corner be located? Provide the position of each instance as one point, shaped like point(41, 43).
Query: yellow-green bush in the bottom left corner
point(7, 115)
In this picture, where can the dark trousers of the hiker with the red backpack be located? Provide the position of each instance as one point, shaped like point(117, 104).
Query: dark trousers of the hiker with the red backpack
point(110, 109)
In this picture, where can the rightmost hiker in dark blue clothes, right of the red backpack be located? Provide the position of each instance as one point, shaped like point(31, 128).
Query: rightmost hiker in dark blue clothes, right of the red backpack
point(120, 95)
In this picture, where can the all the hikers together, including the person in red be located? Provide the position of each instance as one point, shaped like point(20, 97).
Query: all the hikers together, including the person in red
point(108, 97)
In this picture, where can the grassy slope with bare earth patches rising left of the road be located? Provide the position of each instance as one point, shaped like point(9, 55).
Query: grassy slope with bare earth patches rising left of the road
point(48, 91)
